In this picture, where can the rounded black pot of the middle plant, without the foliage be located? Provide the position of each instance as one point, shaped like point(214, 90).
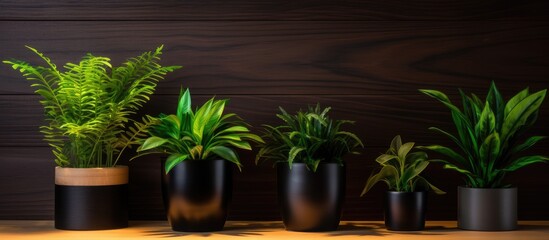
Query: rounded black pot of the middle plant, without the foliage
point(311, 201)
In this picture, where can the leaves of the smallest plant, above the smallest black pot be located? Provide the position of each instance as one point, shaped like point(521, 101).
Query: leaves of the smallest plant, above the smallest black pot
point(401, 169)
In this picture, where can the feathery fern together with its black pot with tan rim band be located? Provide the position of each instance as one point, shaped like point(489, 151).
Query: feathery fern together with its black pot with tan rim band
point(87, 107)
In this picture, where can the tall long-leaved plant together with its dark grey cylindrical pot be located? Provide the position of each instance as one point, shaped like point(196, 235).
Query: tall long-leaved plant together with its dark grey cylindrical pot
point(490, 138)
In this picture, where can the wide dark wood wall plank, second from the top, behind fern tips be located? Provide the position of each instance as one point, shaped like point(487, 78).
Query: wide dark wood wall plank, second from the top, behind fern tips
point(306, 58)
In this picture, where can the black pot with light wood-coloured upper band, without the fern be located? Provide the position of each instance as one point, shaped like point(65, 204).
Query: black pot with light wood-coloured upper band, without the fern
point(91, 198)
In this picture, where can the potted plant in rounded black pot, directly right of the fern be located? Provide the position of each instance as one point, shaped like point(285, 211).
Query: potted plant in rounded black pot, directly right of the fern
point(197, 174)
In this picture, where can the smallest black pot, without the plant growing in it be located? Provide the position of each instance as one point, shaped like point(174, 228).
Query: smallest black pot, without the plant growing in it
point(405, 211)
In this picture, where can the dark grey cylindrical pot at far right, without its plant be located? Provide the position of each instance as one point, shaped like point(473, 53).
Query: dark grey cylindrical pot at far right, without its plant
point(487, 209)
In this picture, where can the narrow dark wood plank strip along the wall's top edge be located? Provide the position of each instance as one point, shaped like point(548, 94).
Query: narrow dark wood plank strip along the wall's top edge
point(371, 10)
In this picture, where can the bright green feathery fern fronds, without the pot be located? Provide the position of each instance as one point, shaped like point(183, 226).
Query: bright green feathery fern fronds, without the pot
point(88, 105)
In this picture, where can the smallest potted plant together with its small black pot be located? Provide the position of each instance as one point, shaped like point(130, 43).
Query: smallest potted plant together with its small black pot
point(406, 200)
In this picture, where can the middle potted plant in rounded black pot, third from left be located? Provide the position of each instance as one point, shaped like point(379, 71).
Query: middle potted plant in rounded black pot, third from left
point(308, 150)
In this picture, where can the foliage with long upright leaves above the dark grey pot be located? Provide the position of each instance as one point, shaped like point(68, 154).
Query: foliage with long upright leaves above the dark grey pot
point(489, 135)
